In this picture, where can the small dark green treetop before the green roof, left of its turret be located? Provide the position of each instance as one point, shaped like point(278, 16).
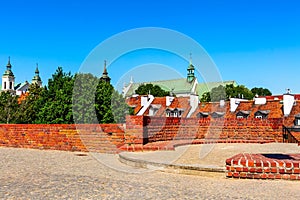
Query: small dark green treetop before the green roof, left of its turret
point(155, 90)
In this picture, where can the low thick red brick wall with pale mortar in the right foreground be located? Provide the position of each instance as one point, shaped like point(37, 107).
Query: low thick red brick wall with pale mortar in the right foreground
point(264, 166)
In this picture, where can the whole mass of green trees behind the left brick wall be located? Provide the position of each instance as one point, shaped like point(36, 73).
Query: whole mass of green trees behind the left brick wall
point(67, 99)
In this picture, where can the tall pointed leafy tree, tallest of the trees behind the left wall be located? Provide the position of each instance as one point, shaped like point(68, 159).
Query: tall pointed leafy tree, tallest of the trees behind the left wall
point(57, 99)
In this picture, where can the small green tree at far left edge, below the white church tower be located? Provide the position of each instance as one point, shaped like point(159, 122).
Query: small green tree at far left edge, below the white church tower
point(8, 107)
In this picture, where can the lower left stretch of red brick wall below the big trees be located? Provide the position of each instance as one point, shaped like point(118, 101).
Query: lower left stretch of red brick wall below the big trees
point(84, 137)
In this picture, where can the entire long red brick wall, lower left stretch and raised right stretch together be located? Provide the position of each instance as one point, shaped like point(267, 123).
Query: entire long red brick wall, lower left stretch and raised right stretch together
point(139, 130)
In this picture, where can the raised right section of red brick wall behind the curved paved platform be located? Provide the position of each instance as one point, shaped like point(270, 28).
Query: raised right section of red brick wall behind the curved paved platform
point(160, 129)
